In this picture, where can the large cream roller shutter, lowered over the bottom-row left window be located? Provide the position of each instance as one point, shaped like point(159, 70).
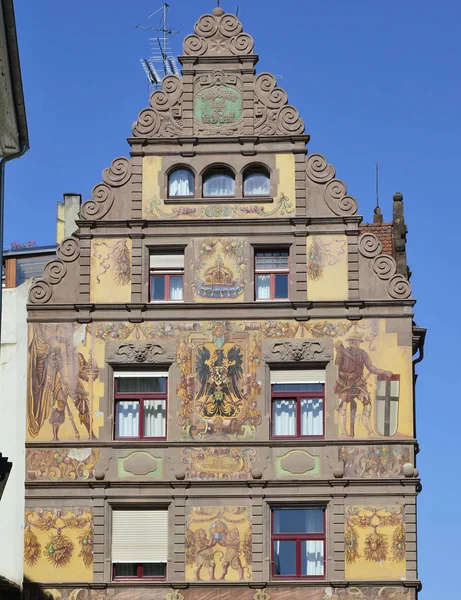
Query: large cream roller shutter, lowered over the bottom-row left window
point(140, 536)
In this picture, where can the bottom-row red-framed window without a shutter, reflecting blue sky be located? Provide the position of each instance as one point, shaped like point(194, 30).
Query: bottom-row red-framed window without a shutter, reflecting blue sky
point(298, 542)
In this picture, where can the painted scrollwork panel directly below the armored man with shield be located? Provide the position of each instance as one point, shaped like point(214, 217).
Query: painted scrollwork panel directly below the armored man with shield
point(374, 462)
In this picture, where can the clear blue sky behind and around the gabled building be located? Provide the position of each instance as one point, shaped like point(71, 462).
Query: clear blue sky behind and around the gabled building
point(374, 80)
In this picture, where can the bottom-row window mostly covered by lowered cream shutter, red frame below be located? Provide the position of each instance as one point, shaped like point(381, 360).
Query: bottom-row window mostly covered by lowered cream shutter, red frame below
point(139, 543)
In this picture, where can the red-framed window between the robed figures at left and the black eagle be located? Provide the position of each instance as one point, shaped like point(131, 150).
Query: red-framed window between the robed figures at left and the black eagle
point(140, 405)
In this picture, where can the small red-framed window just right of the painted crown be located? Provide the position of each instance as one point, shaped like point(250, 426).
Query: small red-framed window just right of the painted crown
point(271, 275)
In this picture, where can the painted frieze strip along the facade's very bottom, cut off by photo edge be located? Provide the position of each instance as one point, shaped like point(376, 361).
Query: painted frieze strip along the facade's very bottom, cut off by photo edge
point(228, 593)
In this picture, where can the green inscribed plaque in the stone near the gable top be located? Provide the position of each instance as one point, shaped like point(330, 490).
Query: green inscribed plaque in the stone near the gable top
point(218, 105)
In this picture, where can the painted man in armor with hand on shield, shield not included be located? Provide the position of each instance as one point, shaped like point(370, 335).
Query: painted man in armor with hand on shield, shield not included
point(352, 384)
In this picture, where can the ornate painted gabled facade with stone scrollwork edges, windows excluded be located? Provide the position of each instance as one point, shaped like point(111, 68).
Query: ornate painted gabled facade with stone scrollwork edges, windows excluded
point(219, 468)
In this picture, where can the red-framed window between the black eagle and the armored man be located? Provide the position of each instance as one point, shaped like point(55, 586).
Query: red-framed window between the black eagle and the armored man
point(298, 399)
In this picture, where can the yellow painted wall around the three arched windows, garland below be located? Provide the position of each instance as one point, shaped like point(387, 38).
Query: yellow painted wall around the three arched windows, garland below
point(154, 206)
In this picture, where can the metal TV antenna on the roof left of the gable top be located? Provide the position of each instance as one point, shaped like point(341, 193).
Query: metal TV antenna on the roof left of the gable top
point(162, 61)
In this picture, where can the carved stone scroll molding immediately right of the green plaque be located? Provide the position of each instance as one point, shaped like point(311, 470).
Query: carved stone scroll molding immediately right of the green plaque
point(273, 114)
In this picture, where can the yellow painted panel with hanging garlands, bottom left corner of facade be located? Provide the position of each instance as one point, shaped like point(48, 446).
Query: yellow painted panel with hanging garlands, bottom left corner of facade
point(58, 544)
